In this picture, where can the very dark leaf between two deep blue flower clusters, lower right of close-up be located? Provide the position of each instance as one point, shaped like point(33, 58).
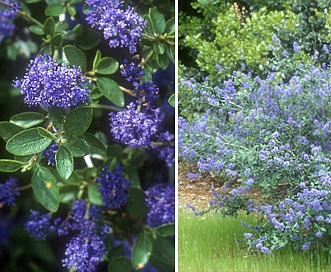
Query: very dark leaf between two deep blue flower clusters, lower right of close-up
point(136, 203)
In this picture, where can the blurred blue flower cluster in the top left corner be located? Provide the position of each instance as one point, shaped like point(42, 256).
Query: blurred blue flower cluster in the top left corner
point(7, 16)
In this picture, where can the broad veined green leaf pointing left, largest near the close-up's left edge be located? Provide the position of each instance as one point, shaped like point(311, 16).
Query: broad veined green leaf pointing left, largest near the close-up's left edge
point(27, 142)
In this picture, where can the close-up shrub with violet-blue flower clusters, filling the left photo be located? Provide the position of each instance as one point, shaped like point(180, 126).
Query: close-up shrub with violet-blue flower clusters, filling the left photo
point(96, 121)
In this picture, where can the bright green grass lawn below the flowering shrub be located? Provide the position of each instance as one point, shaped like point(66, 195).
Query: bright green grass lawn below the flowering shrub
point(208, 243)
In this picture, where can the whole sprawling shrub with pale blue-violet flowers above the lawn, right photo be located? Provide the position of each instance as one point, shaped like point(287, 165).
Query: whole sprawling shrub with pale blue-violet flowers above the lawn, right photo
point(270, 136)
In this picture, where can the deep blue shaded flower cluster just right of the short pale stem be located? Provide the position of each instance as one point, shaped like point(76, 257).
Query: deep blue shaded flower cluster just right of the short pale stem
point(113, 187)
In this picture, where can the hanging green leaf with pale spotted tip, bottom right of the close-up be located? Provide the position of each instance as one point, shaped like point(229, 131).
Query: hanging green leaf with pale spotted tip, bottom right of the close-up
point(142, 250)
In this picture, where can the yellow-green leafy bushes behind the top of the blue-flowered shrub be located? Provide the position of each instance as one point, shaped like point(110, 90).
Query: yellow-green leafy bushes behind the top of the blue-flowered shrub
point(228, 33)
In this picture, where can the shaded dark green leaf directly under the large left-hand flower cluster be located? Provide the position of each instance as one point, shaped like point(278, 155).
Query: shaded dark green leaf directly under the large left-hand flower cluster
point(78, 120)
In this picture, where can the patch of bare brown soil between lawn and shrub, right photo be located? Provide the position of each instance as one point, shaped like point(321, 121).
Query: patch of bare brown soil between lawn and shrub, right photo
point(196, 192)
